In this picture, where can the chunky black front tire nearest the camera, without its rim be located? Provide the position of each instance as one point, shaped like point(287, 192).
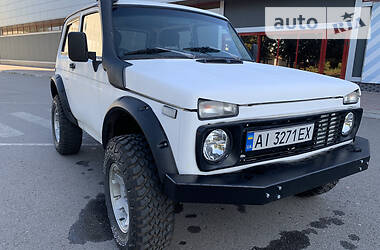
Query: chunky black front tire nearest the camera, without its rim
point(151, 212)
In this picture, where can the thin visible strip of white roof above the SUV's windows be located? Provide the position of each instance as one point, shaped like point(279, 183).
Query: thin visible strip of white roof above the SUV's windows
point(154, 4)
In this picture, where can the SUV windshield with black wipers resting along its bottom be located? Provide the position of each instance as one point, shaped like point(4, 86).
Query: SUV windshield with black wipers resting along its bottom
point(149, 32)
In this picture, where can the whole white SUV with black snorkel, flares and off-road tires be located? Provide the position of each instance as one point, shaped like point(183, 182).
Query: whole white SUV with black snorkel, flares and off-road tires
point(185, 115)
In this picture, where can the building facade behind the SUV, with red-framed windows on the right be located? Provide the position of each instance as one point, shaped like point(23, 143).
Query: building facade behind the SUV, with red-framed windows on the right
point(30, 30)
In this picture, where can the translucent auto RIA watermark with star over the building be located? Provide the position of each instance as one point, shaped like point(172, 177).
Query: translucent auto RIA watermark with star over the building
point(317, 23)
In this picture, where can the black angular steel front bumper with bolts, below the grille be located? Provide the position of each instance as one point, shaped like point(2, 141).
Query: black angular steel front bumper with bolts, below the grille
point(264, 184)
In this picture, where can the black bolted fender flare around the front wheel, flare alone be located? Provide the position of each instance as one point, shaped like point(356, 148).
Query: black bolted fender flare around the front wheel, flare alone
point(152, 130)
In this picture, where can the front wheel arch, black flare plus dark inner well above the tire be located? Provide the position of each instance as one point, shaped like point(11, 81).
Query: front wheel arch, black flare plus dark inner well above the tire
point(136, 116)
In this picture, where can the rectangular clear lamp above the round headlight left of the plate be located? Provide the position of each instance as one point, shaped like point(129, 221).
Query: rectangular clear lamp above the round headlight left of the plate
point(213, 109)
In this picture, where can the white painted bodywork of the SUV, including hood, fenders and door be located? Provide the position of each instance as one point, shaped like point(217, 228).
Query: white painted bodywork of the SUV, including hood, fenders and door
point(181, 82)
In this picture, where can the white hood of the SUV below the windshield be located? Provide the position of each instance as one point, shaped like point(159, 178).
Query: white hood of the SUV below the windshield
point(181, 82)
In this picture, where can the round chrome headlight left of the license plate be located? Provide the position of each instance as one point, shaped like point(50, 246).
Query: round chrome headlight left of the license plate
point(216, 145)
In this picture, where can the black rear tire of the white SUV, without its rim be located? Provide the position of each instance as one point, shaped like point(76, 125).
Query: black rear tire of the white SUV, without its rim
point(70, 135)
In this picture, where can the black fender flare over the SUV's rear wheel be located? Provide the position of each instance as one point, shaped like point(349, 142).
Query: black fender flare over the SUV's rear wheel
point(59, 90)
